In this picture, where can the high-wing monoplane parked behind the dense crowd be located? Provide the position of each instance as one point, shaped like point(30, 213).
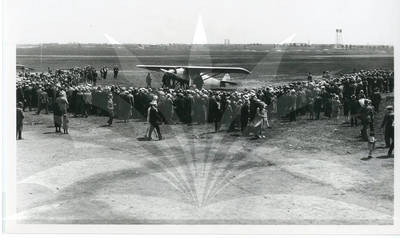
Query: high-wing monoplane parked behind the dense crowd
point(201, 76)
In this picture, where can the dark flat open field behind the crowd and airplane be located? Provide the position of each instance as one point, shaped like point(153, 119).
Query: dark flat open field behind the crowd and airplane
point(267, 67)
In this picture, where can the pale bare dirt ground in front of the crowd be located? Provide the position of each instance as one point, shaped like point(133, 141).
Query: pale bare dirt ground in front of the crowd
point(304, 172)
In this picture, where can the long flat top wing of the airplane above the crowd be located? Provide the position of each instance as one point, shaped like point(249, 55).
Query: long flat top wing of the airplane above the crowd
point(202, 69)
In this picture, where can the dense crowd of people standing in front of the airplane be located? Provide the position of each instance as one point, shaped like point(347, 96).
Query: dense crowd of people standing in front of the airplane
point(353, 97)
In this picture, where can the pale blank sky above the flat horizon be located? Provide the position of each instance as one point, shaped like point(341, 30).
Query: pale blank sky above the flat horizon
point(174, 21)
